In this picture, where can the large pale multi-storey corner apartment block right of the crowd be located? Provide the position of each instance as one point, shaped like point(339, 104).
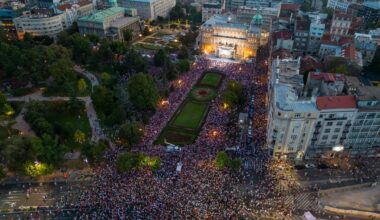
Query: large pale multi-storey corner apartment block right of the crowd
point(331, 114)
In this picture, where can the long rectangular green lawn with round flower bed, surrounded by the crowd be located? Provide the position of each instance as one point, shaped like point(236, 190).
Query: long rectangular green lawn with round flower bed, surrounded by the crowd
point(184, 126)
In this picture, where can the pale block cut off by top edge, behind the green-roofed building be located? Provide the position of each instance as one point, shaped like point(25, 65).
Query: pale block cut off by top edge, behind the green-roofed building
point(150, 9)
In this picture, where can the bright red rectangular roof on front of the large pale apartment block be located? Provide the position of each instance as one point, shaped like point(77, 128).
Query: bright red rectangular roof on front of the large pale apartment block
point(335, 102)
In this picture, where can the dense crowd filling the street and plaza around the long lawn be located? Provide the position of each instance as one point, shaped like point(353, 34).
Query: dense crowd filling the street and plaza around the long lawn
point(199, 190)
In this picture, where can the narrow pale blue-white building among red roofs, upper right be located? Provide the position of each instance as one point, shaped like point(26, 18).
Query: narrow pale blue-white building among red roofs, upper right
point(316, 31)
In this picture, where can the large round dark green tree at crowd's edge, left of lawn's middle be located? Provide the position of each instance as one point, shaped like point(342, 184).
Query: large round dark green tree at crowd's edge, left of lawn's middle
point(143, 91)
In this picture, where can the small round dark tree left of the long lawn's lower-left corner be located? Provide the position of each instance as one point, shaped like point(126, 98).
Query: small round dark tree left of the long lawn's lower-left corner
point(131, 133)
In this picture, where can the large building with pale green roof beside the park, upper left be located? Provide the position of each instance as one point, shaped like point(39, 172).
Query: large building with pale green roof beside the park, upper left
point(110, 23)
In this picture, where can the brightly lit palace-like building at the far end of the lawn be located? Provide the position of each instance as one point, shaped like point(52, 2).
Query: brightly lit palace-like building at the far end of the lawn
point(223, 36)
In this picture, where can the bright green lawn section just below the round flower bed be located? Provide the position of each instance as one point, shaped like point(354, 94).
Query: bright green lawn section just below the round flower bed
point(191, 115)
